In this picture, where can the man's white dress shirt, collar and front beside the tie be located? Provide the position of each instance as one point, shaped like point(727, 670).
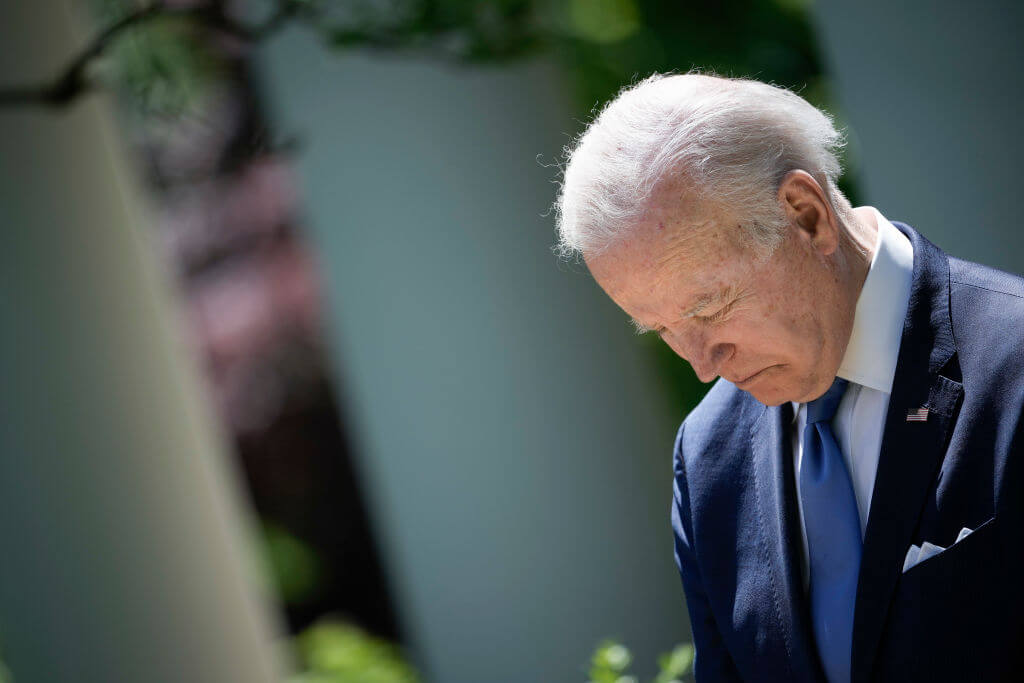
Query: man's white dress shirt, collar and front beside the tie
point(870, 365)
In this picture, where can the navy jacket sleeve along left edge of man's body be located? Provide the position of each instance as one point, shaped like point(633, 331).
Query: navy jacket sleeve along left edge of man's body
point(713, 663)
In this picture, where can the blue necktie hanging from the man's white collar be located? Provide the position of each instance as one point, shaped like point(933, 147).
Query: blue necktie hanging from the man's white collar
point(834, 542)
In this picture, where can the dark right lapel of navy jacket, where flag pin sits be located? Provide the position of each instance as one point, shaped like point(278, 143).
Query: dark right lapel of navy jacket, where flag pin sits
point(912, 451)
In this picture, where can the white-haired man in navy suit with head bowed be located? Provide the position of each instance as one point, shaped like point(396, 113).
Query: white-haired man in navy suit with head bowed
point(847, 500)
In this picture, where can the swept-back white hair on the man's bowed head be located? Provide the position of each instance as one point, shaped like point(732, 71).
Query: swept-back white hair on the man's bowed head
point(734, 141)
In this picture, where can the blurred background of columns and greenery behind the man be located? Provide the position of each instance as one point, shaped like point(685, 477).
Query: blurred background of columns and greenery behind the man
point(294, 386)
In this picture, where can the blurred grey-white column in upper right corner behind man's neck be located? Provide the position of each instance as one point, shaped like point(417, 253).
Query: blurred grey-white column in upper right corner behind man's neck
point(932, 93)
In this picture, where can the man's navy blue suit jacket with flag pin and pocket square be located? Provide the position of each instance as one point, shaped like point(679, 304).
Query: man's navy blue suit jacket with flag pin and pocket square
point(955, 617)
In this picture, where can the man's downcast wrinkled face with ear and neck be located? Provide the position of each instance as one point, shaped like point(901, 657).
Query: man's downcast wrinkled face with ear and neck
point(778, 326)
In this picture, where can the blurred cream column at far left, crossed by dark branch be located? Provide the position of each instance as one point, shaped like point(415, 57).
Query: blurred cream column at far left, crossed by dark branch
point(123, 554)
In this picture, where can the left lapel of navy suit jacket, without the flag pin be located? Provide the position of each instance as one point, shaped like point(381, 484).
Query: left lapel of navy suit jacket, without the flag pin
point(773, 453)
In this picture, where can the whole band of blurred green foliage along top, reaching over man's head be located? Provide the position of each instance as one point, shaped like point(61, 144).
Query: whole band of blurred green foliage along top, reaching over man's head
point(165, 62)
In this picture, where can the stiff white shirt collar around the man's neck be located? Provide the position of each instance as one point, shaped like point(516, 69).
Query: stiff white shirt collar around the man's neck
point(878, 324)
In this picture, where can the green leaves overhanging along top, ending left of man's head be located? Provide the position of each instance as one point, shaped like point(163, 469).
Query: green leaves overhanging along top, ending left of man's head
point(163, 63)
